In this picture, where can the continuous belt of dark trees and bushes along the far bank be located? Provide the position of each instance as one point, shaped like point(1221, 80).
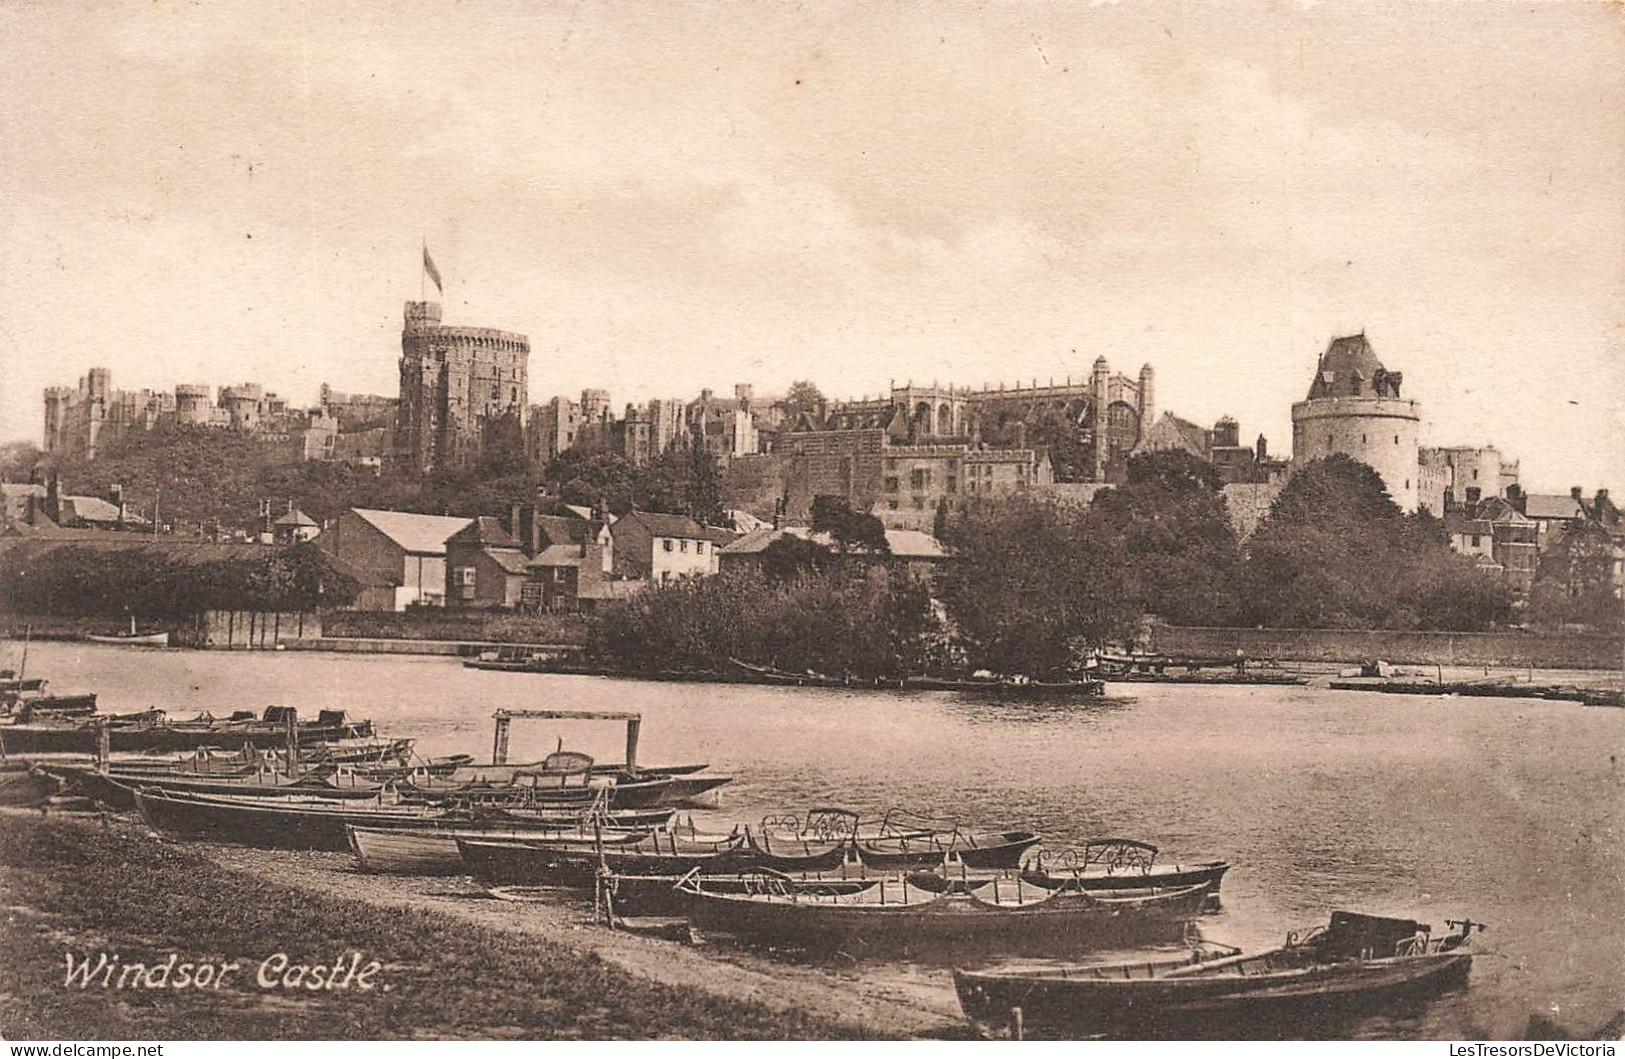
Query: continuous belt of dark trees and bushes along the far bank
point(1036, 584)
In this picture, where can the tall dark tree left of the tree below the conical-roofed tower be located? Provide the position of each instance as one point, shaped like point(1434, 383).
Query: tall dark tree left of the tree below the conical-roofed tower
point(1171, 521)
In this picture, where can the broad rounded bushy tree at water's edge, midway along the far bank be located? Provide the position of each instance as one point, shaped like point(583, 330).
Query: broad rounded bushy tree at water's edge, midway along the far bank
point(1031, 582)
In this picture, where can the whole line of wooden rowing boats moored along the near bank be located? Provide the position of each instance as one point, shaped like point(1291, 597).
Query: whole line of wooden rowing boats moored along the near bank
point(823, 881)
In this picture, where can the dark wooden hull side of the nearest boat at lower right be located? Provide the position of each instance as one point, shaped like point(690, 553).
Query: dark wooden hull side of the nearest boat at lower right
point(1233, 1006)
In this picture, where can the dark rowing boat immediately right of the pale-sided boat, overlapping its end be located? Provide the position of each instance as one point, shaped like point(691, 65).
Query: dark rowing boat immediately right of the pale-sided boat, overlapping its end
point(526, 863)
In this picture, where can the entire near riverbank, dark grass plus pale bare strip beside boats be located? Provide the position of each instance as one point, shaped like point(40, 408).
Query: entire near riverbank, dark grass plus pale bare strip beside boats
point(451, 964)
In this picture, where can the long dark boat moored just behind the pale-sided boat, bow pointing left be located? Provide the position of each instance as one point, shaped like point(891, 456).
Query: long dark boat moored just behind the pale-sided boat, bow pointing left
point(295, 823)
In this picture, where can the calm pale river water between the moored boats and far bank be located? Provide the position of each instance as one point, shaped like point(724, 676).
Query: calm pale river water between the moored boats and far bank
point(1502, 810)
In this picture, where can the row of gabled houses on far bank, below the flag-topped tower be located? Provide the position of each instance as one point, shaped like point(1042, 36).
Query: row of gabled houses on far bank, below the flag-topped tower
point(552, 560)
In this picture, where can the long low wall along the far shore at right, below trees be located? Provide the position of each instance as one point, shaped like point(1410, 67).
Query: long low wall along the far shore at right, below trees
point(1351, 646)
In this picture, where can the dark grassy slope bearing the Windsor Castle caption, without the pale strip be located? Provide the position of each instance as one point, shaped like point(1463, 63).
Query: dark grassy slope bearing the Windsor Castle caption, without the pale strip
point(69, 886)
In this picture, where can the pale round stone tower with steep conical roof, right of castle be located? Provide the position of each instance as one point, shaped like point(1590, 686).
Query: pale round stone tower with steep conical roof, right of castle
point(1354, 408)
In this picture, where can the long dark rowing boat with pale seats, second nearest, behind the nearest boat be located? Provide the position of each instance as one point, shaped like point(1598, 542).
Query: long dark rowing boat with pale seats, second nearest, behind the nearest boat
point(895, 919)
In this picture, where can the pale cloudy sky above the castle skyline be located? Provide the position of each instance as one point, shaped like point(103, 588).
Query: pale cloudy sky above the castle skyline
point(678, 196)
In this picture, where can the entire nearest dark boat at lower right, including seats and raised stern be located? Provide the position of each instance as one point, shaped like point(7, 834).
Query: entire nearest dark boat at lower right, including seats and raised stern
point(1356, 964)
